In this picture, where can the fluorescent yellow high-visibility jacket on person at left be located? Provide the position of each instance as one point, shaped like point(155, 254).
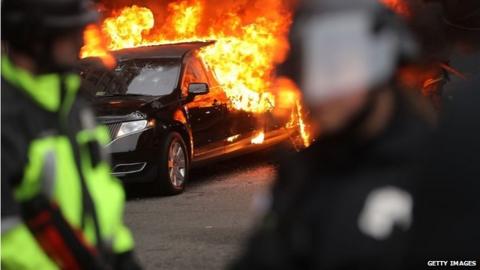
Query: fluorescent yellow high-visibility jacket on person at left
point(42, 127)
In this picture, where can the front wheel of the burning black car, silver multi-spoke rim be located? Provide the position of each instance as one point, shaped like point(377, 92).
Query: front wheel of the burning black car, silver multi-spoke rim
point(173, 169)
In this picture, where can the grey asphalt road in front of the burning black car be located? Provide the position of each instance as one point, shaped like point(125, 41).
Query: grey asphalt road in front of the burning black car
point(205, 227)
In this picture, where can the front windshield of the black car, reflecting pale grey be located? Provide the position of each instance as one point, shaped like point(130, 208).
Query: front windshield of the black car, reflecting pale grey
point(138, 77)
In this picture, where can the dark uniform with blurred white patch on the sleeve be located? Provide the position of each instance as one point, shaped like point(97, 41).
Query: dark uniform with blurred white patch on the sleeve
point(344, 203)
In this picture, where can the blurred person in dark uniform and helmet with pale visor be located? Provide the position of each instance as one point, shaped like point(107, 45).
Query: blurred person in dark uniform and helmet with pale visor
point(345, 202)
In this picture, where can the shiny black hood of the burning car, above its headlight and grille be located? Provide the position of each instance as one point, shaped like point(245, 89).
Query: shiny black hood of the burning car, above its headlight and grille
point(126, 108)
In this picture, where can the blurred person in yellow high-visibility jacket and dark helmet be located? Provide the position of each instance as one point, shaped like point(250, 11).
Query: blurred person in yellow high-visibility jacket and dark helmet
point(61, 208)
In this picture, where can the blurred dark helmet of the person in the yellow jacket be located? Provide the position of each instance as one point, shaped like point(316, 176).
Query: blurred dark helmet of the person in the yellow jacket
point(30, 26)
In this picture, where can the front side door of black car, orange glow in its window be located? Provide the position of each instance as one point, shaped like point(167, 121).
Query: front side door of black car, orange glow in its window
point(207, 113)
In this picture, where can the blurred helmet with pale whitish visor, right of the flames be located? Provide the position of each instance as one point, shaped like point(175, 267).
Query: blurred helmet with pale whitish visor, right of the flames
point(329, 37)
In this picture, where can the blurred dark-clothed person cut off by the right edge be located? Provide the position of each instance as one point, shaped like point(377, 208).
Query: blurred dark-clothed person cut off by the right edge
point(446, 215)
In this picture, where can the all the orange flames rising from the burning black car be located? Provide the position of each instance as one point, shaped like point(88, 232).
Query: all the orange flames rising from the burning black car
point(249, 43)
